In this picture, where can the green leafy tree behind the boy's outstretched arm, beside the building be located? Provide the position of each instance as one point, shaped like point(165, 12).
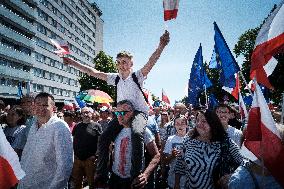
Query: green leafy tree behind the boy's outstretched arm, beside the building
point(105, 64)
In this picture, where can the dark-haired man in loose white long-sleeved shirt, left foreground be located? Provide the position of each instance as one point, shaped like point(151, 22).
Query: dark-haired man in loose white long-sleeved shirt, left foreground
point(47, 157)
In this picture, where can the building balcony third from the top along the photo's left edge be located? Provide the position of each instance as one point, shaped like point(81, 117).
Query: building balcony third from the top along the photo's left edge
point(16, 55)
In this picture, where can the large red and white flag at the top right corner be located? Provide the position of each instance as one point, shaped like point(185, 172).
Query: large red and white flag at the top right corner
point(269, 42)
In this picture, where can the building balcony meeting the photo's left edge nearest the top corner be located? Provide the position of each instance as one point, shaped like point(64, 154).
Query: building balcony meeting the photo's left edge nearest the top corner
point(4, 12)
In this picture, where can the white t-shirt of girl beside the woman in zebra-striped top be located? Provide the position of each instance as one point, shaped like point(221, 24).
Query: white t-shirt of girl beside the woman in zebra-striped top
point(174, 141)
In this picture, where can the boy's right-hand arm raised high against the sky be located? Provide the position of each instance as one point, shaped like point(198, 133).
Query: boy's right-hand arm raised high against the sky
point(164, 40)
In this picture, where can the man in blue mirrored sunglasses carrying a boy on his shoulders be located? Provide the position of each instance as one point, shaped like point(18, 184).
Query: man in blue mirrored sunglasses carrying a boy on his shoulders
point(121, 168)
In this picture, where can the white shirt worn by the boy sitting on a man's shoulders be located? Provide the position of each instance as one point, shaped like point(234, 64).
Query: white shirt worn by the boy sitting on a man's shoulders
point(127, 89)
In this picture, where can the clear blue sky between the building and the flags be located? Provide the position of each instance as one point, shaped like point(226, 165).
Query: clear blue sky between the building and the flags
point(136, 26)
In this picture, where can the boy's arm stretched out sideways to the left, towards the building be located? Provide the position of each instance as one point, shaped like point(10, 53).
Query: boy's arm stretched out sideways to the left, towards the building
point(88, 70)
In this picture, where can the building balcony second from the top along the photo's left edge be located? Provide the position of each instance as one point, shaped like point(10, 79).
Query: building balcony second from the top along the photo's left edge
point(17, 37)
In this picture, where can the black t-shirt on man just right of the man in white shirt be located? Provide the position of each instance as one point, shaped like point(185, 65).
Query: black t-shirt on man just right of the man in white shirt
point(86, 139)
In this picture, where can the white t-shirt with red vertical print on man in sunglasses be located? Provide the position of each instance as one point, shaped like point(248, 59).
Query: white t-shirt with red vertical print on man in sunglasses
point(123, 150)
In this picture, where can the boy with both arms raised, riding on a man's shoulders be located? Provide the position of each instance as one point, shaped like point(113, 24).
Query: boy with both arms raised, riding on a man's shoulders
point(127, 89)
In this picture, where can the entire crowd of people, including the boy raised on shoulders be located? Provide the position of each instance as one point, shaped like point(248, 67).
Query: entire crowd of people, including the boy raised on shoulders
point(130, 145)
